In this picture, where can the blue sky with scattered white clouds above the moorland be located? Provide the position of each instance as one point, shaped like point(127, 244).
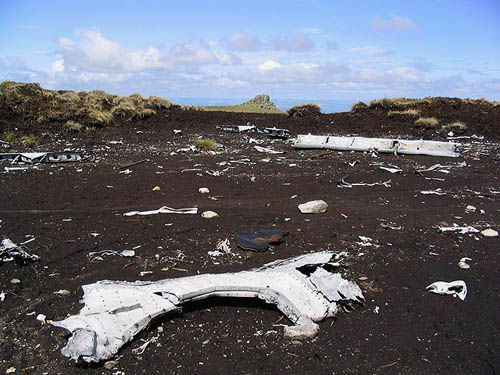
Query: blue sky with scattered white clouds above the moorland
point(306, 49)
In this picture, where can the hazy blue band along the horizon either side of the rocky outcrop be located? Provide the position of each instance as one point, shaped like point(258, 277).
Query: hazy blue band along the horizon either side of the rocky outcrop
point(327, 105)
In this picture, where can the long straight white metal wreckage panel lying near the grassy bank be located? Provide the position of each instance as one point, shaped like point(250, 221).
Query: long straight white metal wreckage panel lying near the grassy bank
point(386, 145)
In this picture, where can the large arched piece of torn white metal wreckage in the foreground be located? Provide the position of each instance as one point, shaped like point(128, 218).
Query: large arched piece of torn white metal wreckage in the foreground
point(307, 289)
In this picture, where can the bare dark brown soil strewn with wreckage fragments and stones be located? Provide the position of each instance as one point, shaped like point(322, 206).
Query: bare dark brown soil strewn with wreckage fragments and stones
point(402, 328)
